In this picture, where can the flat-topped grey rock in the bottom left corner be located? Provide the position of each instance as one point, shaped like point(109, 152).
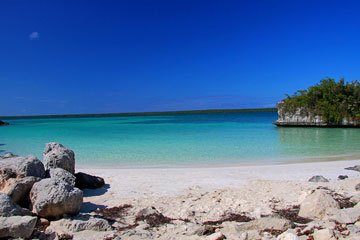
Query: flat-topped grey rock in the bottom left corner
point(17, 226)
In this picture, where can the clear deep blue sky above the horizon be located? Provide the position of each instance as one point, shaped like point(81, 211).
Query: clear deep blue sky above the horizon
point(59, 57)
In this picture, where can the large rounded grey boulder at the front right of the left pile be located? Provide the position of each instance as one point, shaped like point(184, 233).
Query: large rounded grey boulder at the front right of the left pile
point(52, 198)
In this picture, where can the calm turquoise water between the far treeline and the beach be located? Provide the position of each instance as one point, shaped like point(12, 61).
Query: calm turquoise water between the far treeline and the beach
point(178, 140)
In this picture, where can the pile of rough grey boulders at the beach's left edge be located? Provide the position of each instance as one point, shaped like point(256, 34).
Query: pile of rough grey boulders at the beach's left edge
point(30, 192)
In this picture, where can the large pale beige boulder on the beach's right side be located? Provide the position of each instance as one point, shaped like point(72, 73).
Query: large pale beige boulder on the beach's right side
point(316, 204)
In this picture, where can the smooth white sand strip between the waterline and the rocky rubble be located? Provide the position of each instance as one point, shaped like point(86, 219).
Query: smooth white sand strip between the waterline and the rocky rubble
point(139, 183)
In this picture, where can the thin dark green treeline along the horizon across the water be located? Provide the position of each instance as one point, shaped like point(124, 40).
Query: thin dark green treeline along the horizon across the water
point(150, 113)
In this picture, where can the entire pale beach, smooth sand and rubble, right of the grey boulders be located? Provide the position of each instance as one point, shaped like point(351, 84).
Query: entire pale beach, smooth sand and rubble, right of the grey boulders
point(193, 196)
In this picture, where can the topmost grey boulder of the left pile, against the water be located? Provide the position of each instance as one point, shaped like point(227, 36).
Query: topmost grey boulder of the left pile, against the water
point(58, 156)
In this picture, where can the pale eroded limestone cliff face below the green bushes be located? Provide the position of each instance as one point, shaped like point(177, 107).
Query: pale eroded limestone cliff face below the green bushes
point(303, 118)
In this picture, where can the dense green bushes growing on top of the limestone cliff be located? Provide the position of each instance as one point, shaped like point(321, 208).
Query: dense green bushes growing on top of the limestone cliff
point(333, 101)
